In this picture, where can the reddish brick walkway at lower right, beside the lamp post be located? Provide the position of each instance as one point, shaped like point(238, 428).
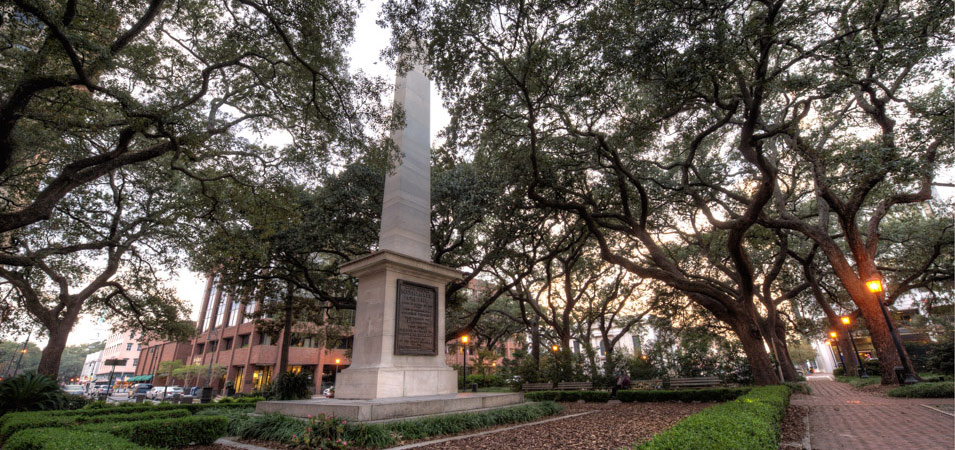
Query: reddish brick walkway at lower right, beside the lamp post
point(841, 417)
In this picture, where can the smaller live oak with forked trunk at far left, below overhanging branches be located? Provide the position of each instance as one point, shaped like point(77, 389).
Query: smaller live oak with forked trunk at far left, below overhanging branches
point(102, 251)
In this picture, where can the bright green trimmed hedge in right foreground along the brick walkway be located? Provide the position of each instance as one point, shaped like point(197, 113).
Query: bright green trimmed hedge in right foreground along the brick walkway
point(751, 422)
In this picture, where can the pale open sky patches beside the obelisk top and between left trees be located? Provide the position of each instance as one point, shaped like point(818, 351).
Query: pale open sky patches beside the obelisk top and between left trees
point(365, 51)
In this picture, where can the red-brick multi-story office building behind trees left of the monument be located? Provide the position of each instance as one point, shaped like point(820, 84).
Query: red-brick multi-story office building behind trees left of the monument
point(226, 336)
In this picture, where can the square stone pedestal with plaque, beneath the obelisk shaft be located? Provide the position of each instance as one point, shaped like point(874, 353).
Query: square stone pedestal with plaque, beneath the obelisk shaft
point(399, 329)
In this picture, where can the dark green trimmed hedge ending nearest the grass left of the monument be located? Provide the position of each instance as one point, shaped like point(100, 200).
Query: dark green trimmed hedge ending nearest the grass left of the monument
point(174, 432)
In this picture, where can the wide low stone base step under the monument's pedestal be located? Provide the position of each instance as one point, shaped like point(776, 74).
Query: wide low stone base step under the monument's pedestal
point(386, 409)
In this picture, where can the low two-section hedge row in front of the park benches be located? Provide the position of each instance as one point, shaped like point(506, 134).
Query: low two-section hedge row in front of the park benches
point(641, 395)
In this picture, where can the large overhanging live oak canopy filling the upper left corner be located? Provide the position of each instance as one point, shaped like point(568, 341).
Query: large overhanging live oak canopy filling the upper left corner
point(151, 78)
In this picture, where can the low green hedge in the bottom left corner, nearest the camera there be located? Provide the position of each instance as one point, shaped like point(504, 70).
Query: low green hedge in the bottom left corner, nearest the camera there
point(65, 439)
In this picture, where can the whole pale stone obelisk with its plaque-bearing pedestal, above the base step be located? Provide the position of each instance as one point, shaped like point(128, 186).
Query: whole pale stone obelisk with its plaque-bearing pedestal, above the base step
point(399, 322)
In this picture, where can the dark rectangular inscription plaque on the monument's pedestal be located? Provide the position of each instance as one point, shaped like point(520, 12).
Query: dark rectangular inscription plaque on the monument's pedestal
point(416, 319)
